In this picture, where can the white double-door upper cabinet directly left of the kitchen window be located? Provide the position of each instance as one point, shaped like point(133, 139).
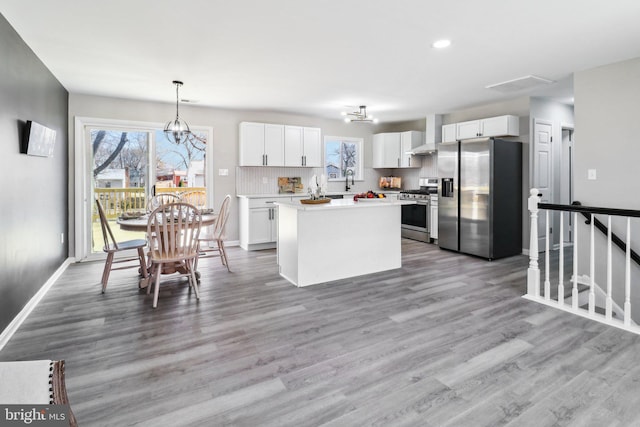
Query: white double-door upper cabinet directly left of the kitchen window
point(302, 146)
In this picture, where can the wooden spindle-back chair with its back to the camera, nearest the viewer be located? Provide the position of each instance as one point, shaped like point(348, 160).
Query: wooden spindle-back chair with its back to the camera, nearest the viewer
point(175, 228)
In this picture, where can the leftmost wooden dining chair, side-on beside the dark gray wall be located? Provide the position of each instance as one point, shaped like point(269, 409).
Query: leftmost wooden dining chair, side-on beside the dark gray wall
point(111, 247)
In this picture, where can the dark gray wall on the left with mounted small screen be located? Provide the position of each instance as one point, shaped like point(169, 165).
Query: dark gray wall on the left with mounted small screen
point(34, 193)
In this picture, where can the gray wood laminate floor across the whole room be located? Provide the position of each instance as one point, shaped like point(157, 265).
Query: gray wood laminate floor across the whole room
point(446, 340)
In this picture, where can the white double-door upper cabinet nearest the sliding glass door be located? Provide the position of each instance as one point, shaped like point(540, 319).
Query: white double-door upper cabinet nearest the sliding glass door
point(261, 144)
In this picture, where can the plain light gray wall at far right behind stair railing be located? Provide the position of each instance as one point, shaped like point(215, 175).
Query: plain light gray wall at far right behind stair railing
point(607, 105)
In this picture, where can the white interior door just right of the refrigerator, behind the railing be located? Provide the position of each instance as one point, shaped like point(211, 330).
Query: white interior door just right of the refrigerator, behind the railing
point(542, 171)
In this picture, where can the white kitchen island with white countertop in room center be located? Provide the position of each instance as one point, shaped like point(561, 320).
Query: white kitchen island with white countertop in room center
point(338, 240)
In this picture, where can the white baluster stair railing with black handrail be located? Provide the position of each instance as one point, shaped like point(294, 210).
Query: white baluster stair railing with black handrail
point(533, 272)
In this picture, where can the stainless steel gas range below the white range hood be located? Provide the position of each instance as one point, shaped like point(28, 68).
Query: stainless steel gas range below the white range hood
point(416, 218)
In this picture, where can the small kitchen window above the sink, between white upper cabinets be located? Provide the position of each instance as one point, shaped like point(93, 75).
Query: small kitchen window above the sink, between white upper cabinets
point(342, 154)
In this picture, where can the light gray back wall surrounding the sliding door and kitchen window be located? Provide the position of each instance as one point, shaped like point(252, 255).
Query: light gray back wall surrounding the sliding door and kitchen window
point(225, 138)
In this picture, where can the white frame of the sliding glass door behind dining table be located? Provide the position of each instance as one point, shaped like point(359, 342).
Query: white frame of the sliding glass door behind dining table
point(82, 206)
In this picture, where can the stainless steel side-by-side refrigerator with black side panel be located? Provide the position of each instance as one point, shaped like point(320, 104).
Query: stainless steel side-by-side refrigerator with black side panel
point(480, 197)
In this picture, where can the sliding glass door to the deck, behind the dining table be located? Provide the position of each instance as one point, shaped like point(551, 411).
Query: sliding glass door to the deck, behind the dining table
point(122, 165)
